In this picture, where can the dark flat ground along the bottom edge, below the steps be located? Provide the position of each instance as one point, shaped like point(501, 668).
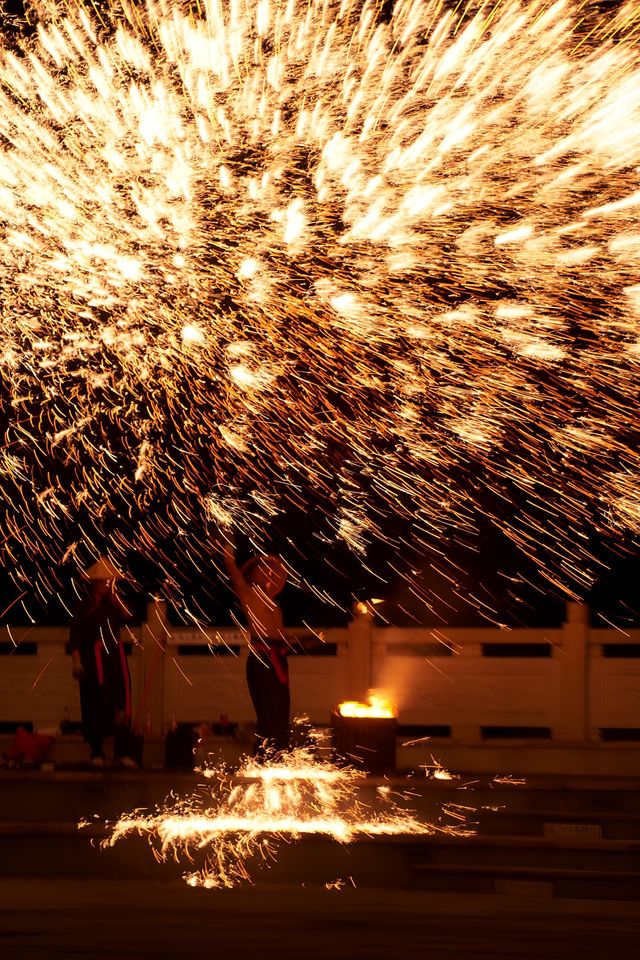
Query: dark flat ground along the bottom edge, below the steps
point(57, 919)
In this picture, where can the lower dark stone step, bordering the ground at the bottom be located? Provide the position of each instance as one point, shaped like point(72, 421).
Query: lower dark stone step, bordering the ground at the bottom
point(600, 869)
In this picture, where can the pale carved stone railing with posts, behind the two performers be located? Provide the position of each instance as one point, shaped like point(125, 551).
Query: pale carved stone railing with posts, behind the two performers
point(575, 684)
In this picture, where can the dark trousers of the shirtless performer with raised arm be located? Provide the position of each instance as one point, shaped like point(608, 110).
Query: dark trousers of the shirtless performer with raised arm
point(268, 681)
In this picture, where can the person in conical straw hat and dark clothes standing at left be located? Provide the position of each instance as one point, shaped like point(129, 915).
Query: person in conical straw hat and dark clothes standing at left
point(99, 664)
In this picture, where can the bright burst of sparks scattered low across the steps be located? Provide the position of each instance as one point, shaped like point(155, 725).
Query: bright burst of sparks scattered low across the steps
point(266, 803)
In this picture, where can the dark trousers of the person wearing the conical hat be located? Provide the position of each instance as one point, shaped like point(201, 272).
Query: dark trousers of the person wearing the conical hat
point(105, 698)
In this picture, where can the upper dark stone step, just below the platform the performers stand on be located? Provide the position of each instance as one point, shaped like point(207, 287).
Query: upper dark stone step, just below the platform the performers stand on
point(497, 807)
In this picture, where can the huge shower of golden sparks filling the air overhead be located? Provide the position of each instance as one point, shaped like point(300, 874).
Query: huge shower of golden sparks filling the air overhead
point(267, 257)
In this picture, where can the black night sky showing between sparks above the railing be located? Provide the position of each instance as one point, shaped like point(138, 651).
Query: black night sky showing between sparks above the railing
point(480, 578)
